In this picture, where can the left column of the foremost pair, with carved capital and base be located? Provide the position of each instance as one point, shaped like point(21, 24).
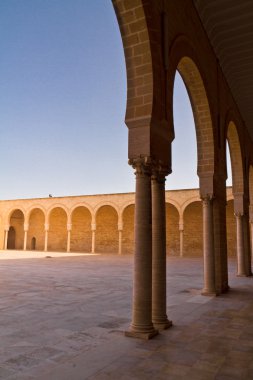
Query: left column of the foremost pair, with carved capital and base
point(142, 326)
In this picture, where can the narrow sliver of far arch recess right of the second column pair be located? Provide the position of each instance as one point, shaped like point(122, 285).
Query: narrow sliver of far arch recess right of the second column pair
point(231, 228)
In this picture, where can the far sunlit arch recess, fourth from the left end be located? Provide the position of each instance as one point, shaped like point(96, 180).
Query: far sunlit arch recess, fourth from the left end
point(81, 230)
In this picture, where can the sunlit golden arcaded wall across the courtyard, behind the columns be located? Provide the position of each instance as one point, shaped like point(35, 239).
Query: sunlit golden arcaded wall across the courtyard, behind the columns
point(104, 224)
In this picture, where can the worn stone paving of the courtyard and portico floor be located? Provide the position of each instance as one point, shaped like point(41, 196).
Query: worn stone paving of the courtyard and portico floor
point(63, 318)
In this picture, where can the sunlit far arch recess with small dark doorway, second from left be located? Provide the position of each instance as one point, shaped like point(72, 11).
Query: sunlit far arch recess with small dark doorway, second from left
point(36, 230)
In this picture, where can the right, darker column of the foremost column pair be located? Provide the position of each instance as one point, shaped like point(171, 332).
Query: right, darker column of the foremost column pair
point(159, 312)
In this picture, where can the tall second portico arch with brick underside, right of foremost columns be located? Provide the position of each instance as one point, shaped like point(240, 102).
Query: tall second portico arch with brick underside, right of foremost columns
point(184, 59)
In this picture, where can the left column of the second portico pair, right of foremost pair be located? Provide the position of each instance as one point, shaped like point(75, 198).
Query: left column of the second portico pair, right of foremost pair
point(208, 247)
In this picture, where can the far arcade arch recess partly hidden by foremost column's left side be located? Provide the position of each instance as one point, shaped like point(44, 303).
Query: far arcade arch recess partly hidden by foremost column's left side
point(128, 230)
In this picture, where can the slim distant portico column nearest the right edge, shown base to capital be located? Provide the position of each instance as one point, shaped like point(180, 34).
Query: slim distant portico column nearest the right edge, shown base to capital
point(241, 267)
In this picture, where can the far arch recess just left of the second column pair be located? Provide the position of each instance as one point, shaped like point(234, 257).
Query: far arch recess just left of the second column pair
point(193, 229)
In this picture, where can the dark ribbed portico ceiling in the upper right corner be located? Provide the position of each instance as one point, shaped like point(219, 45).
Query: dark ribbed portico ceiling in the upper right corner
point(229, 26)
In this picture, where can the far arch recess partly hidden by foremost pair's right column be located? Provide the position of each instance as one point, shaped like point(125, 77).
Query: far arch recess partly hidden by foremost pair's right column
point(172, 230)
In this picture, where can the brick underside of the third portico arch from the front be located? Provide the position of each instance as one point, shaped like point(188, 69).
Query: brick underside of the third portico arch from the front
point(236, 158)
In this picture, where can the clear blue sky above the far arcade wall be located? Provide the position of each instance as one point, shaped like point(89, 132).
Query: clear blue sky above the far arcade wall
point(63, 100)
